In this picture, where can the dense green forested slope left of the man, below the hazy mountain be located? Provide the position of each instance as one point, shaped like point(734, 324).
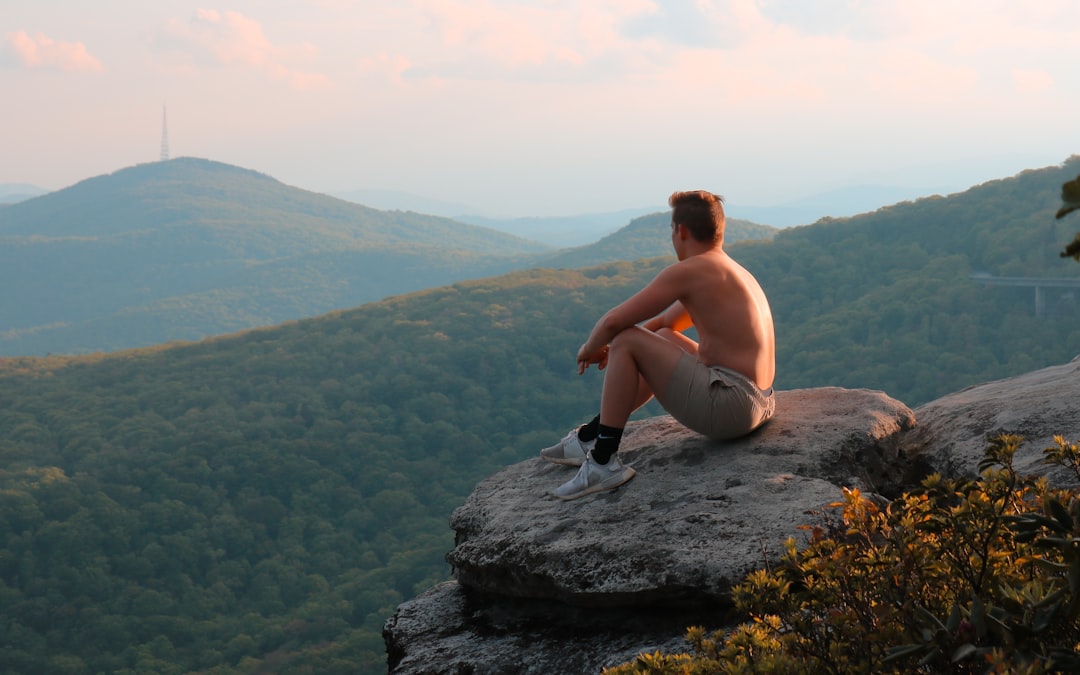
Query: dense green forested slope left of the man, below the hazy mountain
point(267, 501)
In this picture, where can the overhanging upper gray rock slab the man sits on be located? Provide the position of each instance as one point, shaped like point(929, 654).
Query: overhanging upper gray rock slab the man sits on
point(698, 517)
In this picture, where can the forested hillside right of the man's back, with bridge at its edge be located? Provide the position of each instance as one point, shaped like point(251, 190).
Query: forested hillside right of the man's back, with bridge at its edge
point(888, 301)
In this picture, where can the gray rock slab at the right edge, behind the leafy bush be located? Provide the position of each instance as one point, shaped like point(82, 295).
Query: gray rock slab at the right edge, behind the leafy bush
point(953, 431)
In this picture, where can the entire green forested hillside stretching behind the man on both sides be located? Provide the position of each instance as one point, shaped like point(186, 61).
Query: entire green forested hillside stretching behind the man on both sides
point(262, 503)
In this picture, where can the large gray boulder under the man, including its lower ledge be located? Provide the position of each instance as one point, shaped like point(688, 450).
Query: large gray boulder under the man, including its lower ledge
point(548, 586)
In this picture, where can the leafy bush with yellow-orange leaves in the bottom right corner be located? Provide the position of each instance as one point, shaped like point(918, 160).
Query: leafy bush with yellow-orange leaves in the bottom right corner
point(961, 576)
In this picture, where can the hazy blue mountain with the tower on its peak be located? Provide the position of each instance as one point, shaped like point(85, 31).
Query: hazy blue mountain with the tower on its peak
point(186, 249)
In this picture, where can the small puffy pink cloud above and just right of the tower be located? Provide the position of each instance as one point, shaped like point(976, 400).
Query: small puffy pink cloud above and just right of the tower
point(231, 39)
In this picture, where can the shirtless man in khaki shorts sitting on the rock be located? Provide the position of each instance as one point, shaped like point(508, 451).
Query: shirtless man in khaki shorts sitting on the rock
point(721, 387)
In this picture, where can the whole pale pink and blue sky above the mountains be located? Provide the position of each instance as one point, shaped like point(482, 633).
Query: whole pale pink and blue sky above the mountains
point(546, 107)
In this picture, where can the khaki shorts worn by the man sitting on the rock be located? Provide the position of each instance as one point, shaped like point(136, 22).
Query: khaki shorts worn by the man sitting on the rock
point(715, 402)
